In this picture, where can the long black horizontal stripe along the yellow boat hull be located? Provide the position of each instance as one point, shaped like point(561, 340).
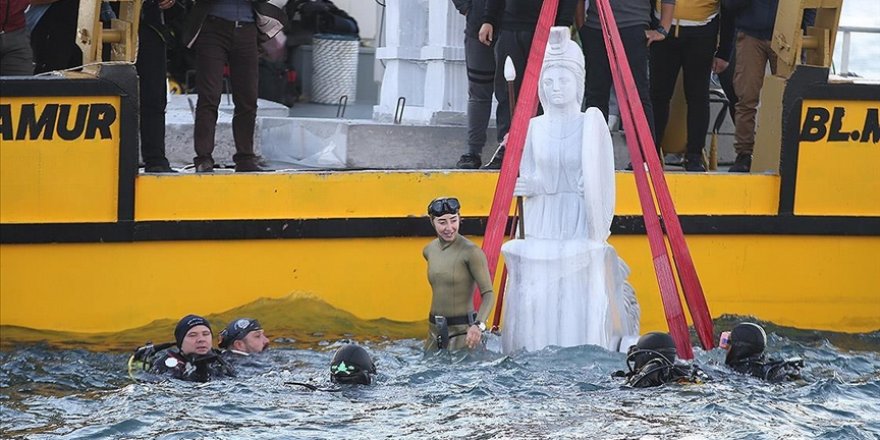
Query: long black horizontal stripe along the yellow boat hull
point(403, 227)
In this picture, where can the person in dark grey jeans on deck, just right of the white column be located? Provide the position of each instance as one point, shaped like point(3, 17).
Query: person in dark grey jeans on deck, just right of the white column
point(480, 62)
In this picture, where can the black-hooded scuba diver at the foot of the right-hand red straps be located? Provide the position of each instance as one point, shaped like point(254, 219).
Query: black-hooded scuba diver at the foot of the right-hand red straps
point(651, 363)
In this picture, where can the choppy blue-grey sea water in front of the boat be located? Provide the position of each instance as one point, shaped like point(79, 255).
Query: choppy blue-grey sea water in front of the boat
point(551, 393)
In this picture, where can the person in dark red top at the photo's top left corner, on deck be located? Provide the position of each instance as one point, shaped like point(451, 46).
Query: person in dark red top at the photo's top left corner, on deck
point(16, 57)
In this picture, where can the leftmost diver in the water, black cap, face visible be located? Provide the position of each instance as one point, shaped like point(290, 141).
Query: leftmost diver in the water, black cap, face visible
point(195, 358)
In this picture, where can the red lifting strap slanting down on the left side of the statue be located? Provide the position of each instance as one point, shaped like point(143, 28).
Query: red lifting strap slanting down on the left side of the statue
point(526, 108)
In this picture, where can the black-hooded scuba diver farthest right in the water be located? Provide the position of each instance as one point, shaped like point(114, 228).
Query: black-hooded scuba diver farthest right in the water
point(745, 346)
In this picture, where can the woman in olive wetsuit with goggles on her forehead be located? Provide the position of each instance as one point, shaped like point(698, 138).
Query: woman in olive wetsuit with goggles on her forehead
point(454, 265)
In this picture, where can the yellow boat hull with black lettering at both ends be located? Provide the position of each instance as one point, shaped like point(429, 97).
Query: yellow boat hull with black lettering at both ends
point(90, 246)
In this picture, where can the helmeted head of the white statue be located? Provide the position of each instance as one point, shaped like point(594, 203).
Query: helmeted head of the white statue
point(561, 58)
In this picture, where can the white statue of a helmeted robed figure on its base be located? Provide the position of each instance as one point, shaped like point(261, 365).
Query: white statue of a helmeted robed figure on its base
point(566, 285)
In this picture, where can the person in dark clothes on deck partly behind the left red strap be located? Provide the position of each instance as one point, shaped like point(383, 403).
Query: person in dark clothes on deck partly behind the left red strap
point(510, 26)
